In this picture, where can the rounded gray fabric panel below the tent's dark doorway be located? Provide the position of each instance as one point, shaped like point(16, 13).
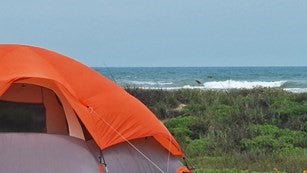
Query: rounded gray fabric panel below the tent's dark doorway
point(47, 153)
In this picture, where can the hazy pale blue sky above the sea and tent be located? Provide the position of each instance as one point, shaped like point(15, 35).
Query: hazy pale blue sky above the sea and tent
point(147, 33)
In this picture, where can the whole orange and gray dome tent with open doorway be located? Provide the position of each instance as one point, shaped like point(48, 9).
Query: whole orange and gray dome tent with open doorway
point(58, 115)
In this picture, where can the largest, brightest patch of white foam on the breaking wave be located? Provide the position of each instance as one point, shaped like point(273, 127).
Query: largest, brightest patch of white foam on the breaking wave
point(232, 84)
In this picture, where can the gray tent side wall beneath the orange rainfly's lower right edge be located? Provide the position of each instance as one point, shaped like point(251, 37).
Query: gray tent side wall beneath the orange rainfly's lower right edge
point(123, 158)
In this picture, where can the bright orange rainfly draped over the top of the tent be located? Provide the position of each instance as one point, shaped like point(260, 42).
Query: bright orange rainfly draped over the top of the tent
point(109, 113)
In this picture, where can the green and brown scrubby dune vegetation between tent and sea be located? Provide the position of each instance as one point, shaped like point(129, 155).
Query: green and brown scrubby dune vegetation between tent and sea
point(259, 130)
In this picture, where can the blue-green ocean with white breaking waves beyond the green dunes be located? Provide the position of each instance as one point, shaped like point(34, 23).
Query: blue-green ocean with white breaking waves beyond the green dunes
point(293, 79)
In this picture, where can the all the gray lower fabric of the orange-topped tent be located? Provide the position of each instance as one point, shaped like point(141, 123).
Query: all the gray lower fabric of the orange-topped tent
point(49, 153)
